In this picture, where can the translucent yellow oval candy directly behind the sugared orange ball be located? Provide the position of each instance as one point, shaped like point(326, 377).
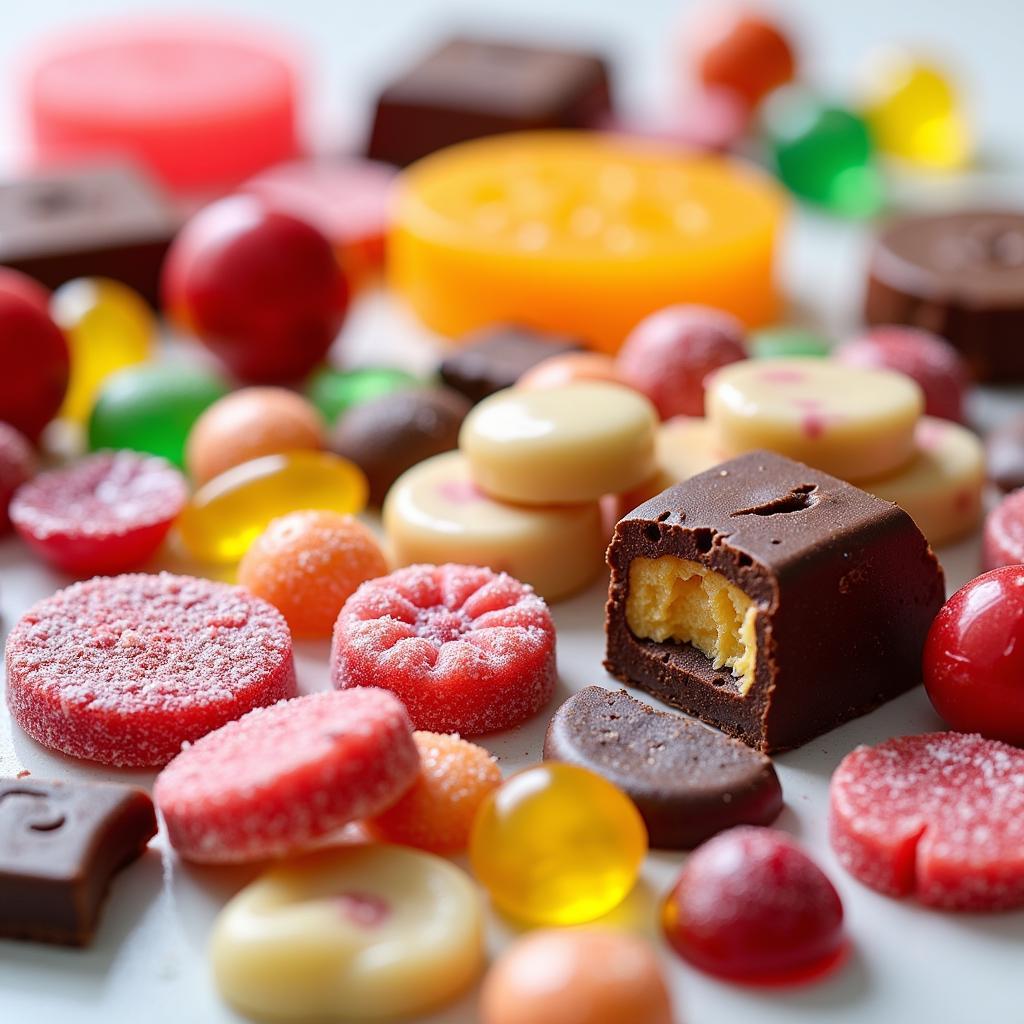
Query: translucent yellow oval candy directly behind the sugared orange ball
point(227, 515)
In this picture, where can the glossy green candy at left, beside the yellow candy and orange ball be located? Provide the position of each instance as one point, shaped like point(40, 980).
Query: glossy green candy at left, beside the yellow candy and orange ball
point(152, 409)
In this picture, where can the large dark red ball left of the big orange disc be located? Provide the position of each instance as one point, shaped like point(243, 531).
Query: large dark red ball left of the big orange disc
point(263, 290)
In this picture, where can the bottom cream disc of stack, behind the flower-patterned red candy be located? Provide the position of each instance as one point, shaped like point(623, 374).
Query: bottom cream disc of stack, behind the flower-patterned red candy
point(436, 514)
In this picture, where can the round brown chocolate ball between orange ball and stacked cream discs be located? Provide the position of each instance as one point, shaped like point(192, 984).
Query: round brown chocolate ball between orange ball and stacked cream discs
point(388, 436)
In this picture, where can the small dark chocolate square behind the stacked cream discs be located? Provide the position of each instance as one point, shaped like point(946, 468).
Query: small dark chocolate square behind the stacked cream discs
point(496, 358)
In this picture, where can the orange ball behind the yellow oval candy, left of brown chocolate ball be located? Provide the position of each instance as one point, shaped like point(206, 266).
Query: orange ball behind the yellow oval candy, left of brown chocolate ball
point(250, 424)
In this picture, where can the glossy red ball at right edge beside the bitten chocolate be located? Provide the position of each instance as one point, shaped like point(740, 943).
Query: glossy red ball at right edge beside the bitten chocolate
point(974, 657)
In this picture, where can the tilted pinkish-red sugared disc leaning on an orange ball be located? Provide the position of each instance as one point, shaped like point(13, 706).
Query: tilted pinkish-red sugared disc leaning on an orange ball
point(281, 778)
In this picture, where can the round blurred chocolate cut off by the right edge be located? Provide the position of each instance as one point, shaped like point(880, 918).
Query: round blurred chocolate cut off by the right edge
point(961, 276)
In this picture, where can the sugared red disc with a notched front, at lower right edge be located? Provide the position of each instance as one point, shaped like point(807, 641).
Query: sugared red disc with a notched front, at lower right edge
point(940, 817)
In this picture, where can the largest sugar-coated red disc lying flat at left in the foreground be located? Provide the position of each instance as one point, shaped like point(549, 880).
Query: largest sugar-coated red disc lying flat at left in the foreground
point(124, 670)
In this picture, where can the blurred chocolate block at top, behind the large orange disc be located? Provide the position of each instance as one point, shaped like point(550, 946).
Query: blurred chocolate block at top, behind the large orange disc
point(471, 88)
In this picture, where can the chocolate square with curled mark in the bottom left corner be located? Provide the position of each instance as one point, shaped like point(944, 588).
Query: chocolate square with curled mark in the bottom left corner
point(61, 845)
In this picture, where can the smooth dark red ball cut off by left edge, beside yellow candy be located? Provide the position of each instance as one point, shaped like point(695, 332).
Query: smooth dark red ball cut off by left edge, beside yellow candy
point(35, 361)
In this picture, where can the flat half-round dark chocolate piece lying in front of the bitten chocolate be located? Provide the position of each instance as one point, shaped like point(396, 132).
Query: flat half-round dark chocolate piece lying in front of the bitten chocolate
point(689, 782)
